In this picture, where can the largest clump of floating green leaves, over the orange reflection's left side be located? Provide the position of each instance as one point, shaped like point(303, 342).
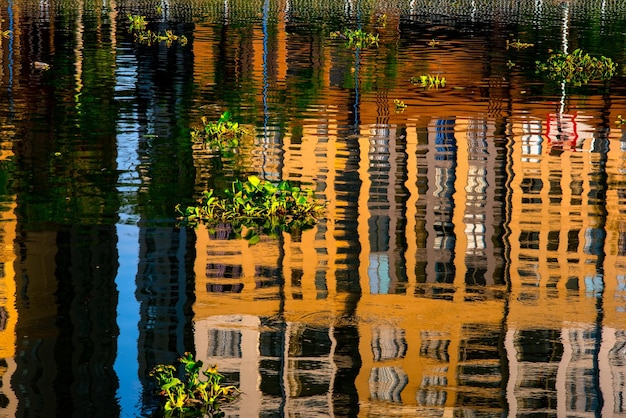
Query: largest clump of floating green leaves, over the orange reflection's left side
point(256, 207)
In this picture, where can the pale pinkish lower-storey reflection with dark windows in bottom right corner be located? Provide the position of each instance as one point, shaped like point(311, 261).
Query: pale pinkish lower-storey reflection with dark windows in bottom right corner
point(568, 371)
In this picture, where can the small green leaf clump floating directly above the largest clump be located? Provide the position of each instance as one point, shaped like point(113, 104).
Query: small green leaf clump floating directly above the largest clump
point(223, 134)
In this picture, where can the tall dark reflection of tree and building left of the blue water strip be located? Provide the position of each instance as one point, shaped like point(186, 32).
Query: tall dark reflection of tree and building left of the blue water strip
point(67, 204)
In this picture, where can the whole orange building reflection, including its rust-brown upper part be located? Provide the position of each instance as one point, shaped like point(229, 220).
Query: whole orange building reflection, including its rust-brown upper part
point(482, 271)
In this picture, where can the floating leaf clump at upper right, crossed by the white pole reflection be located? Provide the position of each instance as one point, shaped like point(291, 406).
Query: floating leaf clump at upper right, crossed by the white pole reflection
point(577, 68)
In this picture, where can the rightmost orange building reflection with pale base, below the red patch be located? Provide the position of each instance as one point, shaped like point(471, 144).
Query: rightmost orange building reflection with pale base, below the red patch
point(566, 266)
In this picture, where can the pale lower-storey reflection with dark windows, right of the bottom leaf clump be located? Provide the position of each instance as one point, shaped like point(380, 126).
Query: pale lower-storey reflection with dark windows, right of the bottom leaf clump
point(295, 365)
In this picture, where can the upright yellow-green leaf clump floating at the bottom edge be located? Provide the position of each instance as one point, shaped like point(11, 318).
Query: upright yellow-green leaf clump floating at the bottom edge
point(192, 395)
